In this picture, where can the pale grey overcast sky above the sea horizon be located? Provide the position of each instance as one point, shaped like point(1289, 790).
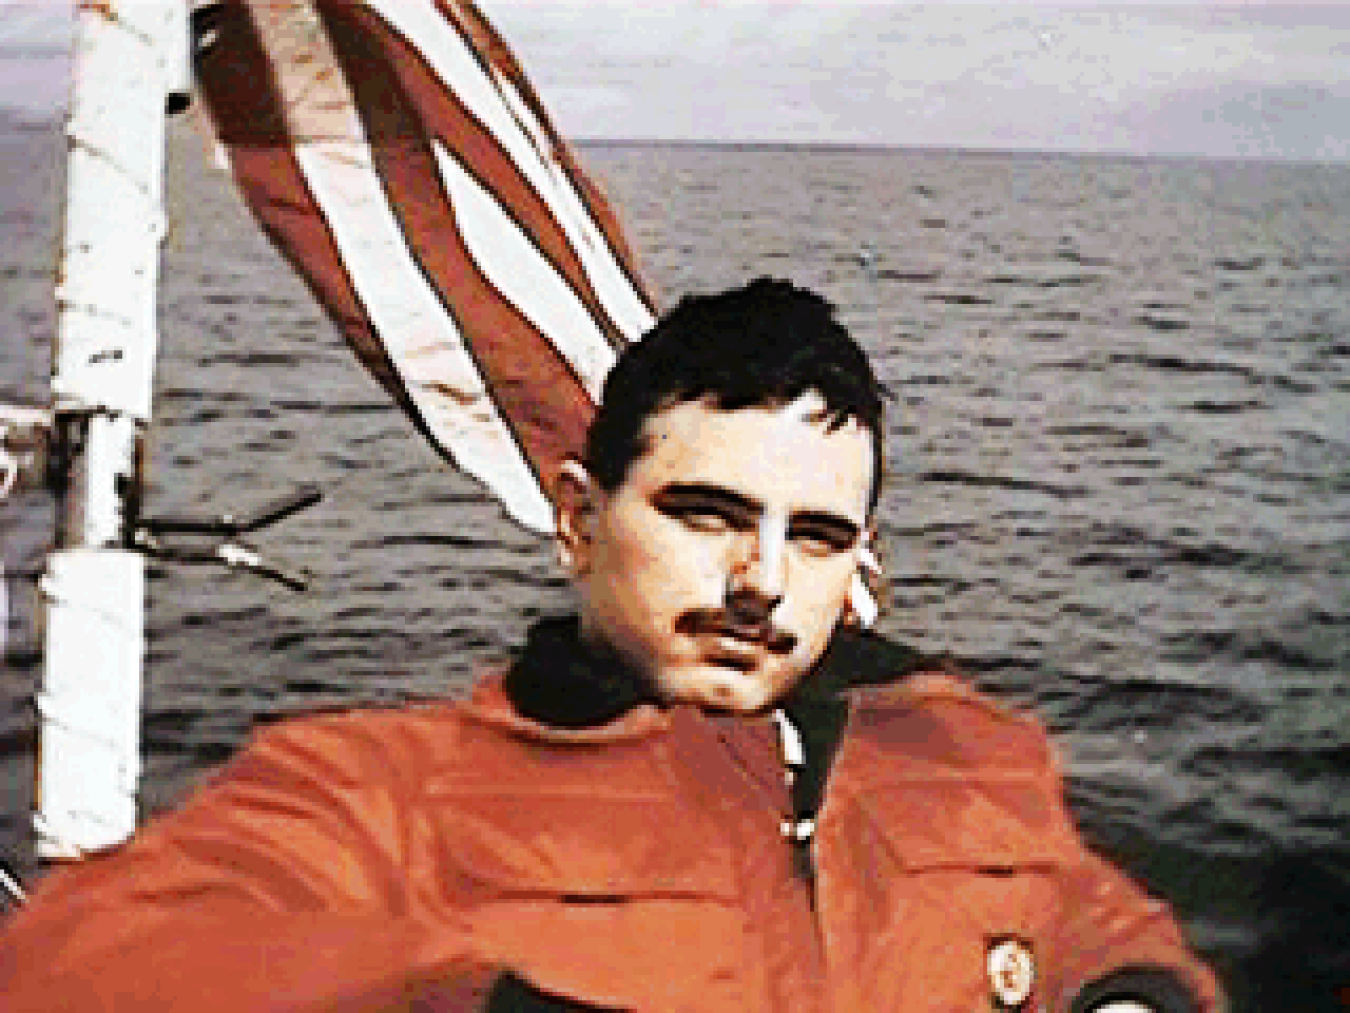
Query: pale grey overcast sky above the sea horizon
point(1256, 79)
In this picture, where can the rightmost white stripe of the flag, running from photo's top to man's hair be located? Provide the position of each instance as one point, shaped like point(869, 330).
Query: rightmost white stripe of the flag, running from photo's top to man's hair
point(445, 51)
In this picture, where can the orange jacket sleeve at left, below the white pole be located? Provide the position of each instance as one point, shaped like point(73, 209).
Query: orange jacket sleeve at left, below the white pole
point(281, 885)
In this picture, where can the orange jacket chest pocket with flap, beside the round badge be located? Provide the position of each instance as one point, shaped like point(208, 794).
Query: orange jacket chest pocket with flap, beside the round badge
point(952, 869)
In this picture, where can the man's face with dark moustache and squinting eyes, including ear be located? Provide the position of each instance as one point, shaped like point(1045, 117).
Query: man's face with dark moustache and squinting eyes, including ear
point(722, 565)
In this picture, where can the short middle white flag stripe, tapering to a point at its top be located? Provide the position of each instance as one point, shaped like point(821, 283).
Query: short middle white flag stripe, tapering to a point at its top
point(520, 274)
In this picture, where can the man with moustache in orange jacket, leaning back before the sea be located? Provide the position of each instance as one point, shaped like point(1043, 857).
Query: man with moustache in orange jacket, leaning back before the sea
point(685, 799)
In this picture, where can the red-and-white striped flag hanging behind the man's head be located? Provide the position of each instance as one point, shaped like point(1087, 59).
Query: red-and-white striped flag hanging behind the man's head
point(398, 156)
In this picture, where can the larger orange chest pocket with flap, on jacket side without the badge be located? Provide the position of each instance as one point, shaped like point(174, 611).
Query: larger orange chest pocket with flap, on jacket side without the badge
point(601, 899)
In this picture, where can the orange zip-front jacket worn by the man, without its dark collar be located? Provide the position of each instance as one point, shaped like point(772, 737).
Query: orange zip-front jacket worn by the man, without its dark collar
point(391, 860)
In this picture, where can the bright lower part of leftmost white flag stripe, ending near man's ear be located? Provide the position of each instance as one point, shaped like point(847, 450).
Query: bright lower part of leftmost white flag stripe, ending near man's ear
point(423, 342)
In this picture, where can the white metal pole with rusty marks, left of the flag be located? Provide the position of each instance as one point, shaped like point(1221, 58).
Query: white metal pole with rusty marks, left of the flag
point(128, 57)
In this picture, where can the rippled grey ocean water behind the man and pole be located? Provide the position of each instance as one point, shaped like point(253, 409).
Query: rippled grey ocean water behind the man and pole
point(1118, 487)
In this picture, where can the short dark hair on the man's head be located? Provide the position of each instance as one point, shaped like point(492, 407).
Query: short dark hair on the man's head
point(762, 345)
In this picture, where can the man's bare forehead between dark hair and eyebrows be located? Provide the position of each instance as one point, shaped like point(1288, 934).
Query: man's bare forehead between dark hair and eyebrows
point(784, 457)
